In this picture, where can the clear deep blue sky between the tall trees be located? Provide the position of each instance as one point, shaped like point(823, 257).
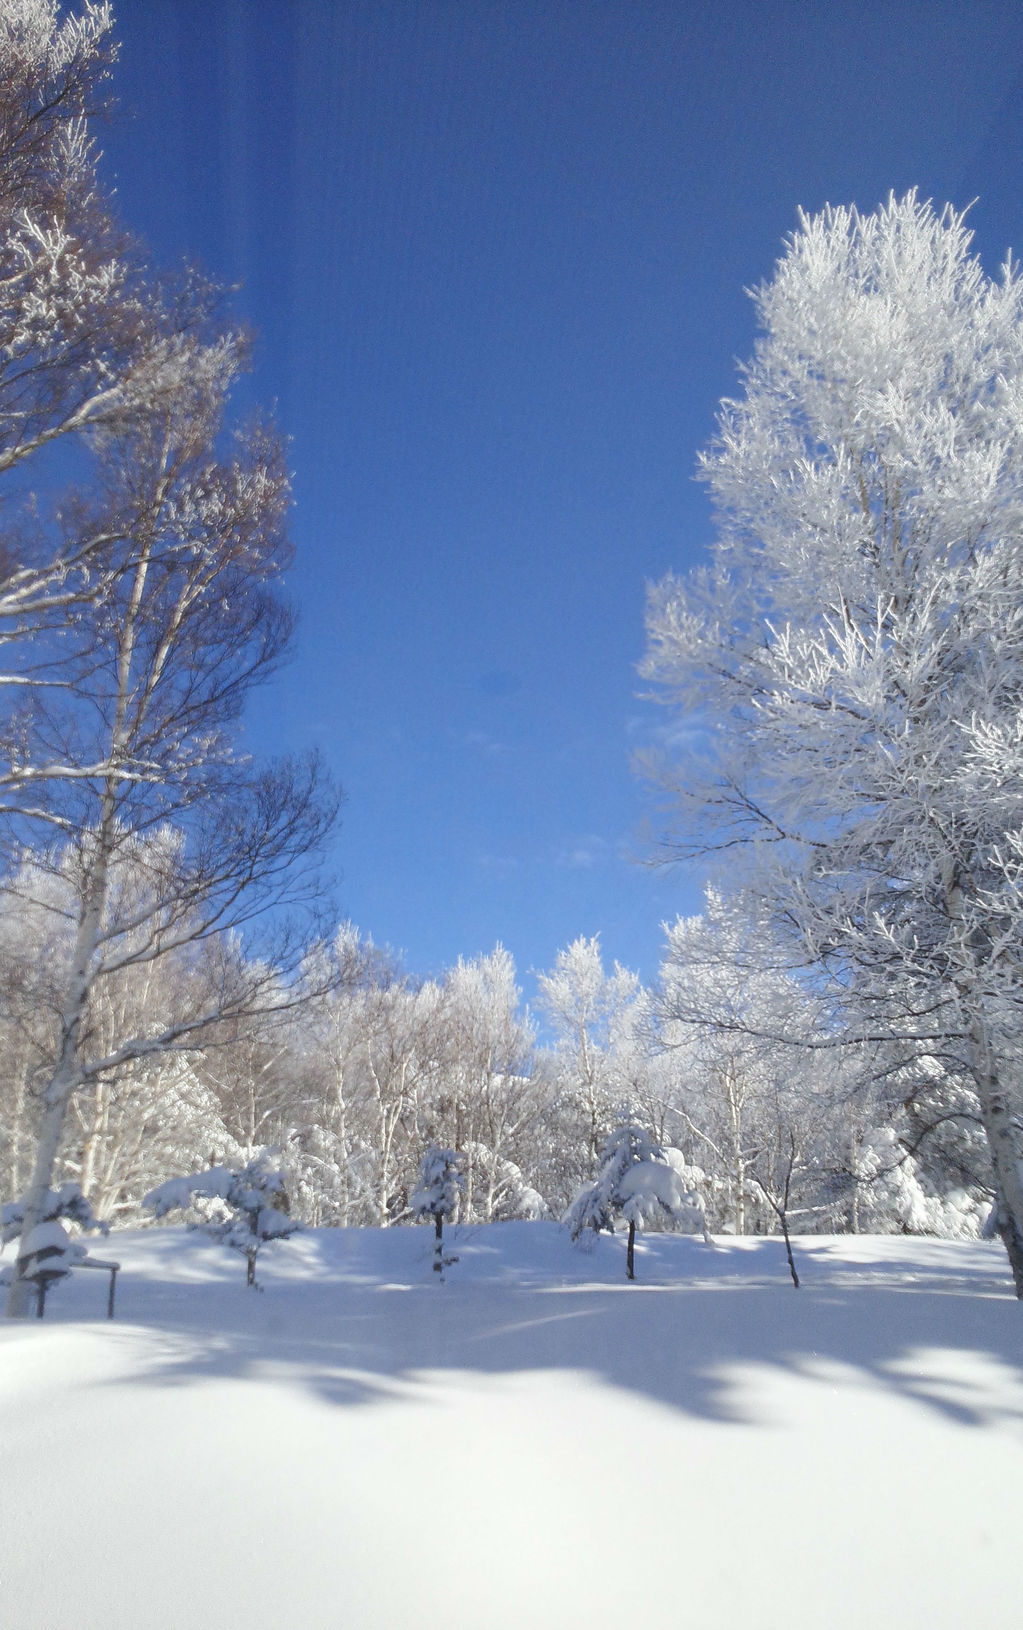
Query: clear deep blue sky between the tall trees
point(496, 257)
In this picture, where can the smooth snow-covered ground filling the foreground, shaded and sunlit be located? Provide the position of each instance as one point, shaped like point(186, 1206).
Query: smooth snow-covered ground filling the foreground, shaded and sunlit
point(533, 1443)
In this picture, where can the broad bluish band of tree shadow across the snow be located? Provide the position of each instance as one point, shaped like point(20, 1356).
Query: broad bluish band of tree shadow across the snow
point(696, 1342)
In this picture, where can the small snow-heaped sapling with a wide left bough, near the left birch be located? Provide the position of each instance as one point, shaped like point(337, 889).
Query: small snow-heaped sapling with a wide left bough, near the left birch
point(245, 1209)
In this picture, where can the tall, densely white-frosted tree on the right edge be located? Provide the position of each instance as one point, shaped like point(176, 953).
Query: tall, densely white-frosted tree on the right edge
point(854, 654)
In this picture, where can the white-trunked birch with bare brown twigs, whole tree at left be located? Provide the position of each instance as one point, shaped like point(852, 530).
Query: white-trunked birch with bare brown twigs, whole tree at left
point(193, 625)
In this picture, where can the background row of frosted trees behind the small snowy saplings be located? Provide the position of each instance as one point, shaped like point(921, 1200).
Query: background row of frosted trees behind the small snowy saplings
point(359, 1067)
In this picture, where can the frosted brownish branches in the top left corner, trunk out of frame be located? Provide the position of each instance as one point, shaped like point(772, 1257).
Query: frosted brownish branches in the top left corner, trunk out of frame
point(86, 345)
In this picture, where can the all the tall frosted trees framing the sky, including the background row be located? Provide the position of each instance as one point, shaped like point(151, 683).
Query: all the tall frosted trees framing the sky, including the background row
point(830, 1046)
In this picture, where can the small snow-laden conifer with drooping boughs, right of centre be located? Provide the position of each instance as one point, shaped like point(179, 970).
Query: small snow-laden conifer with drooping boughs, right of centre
point(634, 1183)
